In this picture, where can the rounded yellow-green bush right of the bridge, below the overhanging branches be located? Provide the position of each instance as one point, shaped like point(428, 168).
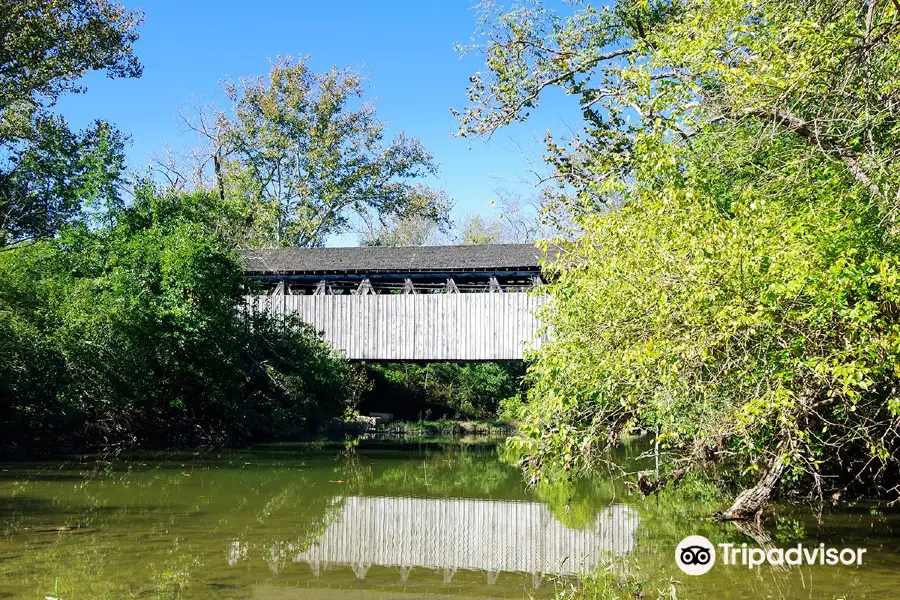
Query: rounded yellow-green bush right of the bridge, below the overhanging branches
point(772, 320)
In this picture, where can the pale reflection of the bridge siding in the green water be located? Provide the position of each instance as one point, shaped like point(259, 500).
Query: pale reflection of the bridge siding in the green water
point(465, 534)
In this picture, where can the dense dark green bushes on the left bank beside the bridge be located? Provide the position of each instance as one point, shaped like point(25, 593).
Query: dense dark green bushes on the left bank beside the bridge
point(133, 331)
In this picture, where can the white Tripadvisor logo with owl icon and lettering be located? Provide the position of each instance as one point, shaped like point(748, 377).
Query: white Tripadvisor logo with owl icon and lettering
point(696, 555)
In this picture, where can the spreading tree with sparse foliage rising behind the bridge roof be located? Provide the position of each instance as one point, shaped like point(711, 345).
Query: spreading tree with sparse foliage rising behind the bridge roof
point(307, 157)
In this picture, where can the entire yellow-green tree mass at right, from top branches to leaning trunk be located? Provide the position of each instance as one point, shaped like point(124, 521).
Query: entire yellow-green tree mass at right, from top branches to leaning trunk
point(734, 286)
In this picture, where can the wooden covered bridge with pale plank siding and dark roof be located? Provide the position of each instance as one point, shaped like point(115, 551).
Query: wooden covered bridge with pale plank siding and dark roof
point(424, 303)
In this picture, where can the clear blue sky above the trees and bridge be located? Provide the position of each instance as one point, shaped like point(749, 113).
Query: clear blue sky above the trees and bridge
point(405, 48)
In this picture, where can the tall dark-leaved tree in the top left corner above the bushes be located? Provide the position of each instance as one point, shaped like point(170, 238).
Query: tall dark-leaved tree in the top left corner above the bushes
point(44, 49)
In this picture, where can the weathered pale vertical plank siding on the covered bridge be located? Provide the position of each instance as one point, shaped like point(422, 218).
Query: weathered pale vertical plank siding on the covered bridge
point(474, 326)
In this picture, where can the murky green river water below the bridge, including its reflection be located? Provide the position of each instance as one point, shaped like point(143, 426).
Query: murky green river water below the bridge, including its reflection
point(376, 519)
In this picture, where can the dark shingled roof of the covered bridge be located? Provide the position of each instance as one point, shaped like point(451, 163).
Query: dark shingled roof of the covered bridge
point(505, 257)
